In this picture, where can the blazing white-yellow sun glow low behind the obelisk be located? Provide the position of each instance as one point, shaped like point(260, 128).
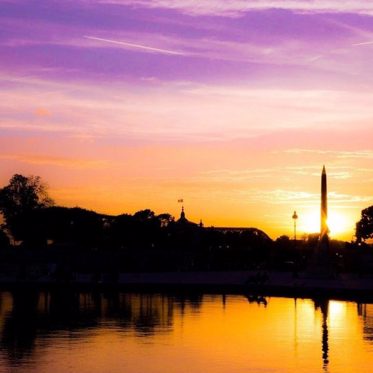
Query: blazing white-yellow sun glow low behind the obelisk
point(338, 223)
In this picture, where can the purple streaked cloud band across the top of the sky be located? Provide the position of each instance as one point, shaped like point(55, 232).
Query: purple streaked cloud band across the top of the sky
point(228, 41)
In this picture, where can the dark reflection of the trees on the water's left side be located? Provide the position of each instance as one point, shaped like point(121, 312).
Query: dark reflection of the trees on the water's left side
point(28, 315)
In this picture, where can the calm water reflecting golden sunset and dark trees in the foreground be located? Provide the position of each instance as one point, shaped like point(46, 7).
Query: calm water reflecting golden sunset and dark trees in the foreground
point(48, 332)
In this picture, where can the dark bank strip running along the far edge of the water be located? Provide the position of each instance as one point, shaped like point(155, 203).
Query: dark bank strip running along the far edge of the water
point(344, 286)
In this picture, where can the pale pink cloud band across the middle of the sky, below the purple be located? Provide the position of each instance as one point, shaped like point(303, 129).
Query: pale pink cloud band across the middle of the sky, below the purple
point(178, 110)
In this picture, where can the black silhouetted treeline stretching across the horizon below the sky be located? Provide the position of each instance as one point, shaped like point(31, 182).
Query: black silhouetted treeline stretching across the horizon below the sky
point(77, 240)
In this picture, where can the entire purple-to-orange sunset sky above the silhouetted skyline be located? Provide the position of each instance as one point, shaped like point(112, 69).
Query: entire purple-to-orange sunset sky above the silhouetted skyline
point(234, 106)
